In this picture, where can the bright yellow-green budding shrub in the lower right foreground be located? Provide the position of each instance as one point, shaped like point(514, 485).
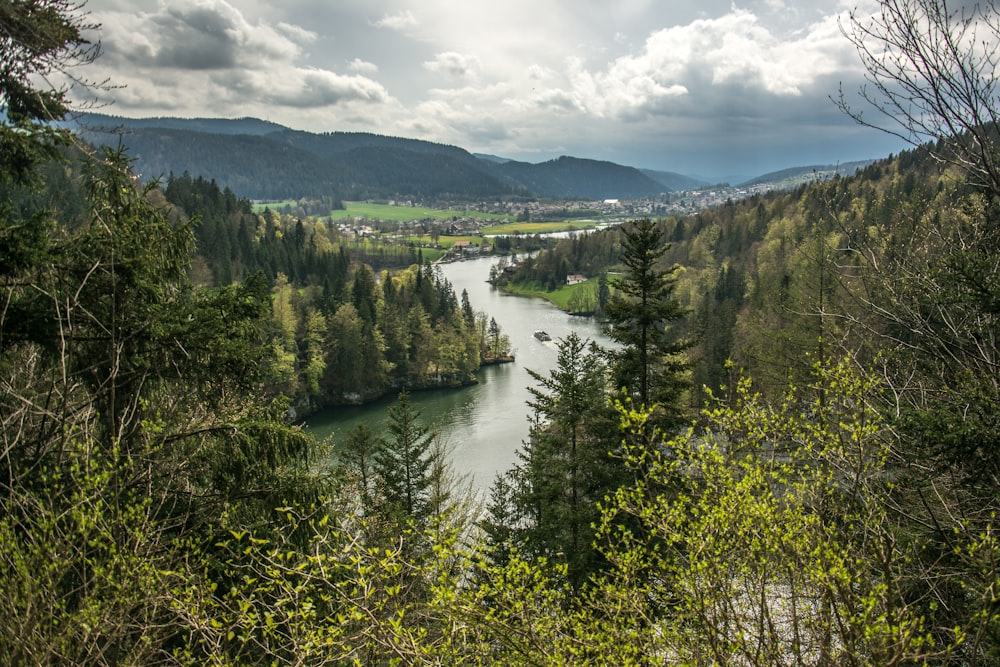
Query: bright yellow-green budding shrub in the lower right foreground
point(775, 545)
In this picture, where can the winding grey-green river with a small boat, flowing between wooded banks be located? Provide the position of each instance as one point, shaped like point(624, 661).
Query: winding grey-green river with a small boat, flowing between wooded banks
point(484, 424)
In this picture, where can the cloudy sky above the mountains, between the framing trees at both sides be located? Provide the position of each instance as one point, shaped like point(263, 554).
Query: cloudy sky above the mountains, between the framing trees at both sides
point(709, 87)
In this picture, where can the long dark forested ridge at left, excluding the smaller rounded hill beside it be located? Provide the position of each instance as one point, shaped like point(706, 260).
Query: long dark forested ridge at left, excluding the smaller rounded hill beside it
point(262, 160)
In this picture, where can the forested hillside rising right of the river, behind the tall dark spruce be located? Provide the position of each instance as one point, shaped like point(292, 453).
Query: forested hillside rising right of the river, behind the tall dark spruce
point(767, 283)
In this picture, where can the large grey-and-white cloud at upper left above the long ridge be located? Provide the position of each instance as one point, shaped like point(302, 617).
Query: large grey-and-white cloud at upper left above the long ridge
point(204, 56)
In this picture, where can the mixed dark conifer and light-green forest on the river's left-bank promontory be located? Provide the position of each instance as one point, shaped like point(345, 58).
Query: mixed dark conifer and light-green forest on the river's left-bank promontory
point(352, 320)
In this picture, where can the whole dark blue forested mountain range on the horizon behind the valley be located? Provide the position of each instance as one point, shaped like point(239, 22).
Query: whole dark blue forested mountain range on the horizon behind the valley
point(263, 160)
